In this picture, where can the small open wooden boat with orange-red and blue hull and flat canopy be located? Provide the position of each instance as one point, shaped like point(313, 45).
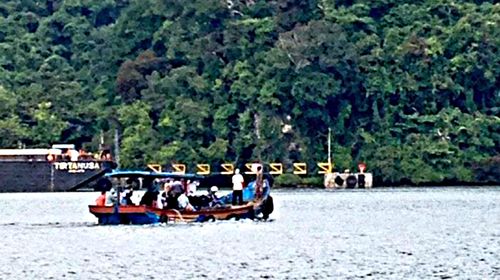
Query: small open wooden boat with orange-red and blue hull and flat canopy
point(144, 214)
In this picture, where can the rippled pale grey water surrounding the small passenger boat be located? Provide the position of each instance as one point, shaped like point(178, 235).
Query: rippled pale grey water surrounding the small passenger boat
point(316, 234)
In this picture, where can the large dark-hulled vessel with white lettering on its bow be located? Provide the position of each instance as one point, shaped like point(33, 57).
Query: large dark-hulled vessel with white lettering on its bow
point(56, 169)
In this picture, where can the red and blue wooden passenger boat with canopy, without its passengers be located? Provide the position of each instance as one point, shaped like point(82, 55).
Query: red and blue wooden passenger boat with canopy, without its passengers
point(254, 208)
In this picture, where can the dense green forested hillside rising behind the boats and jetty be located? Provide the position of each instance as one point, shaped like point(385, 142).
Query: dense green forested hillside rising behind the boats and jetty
point(412, 88)
